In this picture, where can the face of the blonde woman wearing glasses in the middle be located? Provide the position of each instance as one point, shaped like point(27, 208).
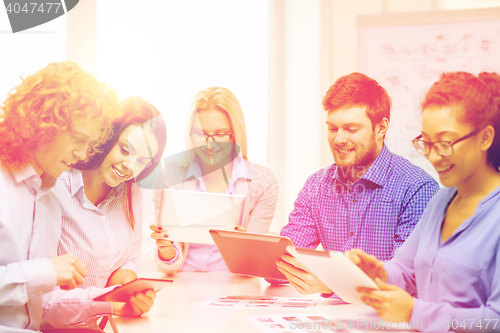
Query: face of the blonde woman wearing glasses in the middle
point(212, 122)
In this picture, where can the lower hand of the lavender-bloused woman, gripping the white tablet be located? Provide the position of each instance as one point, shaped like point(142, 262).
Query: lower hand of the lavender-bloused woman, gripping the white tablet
point(391, 302)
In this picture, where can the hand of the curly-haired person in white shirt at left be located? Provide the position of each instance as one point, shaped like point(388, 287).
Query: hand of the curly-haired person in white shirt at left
point(70, 271)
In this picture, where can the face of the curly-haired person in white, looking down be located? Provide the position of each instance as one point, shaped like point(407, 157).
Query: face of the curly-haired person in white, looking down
point(67, 148)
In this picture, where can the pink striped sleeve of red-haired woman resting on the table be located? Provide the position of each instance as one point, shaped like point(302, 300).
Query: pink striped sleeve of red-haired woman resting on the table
point(69, 307)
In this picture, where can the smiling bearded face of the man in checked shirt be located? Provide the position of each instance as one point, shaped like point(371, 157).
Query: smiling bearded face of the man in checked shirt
point(353, 141)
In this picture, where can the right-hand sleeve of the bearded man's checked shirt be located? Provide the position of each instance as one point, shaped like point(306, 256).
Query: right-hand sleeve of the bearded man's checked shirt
point(416, 200)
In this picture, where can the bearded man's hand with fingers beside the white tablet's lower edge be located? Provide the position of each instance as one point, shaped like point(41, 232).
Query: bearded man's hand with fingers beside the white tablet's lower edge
point(299, 277)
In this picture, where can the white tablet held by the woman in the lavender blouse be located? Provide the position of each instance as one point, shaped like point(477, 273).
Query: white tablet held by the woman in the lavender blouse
point(335, 270)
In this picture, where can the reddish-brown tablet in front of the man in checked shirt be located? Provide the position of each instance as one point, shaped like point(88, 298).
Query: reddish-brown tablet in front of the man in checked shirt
point(251, 254)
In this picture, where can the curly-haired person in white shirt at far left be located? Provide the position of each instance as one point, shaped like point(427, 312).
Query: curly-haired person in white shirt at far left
point(47, 124)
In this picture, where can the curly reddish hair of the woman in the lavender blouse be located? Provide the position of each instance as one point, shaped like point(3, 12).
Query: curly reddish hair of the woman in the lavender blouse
point(477, 100)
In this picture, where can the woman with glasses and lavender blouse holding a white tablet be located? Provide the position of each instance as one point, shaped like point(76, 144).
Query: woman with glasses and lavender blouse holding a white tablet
point(451, 261)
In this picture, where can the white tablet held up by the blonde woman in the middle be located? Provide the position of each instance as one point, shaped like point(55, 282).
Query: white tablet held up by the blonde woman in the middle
point(187, 216)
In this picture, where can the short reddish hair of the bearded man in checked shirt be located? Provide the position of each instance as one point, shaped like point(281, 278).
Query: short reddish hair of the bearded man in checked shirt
point(357, 89)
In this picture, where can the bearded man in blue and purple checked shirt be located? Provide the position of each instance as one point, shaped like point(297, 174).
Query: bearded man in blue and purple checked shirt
point(369, 198)
